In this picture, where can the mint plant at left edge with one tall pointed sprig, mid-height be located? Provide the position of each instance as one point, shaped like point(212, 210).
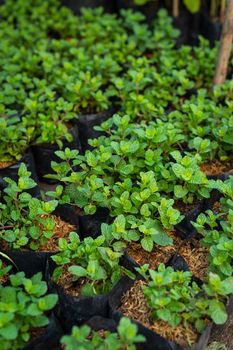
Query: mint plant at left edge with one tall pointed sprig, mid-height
point(24, 220)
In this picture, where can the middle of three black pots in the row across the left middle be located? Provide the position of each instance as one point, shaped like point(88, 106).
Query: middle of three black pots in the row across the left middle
point(44, 154)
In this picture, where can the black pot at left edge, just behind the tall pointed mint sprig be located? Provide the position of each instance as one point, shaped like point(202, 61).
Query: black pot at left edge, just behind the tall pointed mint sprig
point(12, 172)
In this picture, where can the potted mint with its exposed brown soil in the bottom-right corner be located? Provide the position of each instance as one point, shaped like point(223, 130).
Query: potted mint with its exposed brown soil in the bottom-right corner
point(172, 301)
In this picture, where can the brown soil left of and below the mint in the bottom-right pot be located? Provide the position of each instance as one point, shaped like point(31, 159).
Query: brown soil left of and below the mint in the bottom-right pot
point(134, 305)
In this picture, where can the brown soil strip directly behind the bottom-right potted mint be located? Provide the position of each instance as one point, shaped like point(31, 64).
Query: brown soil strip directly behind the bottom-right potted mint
point(194, 254)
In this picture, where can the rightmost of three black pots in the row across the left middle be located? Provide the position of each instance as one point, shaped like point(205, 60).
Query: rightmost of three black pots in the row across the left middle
point(86, 125)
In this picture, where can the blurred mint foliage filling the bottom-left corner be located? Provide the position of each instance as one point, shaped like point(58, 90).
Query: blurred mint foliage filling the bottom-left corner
point(23, 306)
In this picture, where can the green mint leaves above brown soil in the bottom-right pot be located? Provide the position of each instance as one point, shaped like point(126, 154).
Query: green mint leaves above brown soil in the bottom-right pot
point(174, 298)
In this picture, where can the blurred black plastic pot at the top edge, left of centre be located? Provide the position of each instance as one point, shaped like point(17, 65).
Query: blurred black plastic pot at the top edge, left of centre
point(76, 5)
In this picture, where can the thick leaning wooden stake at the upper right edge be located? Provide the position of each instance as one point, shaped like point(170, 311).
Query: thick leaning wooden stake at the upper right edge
point(225, 45)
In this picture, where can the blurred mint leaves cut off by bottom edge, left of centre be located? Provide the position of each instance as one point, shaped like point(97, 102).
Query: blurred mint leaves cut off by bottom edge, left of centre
point(83, 338)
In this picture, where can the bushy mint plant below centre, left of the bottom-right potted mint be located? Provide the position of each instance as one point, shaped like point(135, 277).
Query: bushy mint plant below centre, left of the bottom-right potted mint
point(91, 259)
